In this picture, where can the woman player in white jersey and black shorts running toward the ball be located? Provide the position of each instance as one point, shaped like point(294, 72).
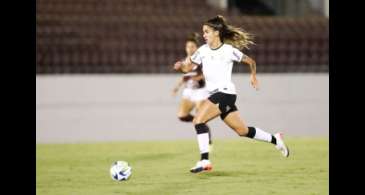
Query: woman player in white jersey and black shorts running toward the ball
point(222, 48)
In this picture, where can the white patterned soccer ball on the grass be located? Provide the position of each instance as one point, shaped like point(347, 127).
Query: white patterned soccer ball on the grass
point(120, 171)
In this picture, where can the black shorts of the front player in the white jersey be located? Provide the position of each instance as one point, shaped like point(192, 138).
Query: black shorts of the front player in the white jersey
point(226, 102)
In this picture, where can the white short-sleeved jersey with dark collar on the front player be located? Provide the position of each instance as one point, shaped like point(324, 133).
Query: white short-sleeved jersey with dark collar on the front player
point(217, 66)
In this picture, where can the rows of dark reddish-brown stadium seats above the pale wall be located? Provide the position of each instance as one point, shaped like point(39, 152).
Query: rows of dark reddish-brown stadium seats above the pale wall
point(131, 36)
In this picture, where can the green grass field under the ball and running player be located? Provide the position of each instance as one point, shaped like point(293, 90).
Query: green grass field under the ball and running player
point(240, 166)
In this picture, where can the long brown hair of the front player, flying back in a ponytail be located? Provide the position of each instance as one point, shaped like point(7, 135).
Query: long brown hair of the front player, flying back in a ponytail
point(229, 34)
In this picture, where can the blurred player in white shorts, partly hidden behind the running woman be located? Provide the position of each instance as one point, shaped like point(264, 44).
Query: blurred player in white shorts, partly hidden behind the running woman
point(194, 92)
